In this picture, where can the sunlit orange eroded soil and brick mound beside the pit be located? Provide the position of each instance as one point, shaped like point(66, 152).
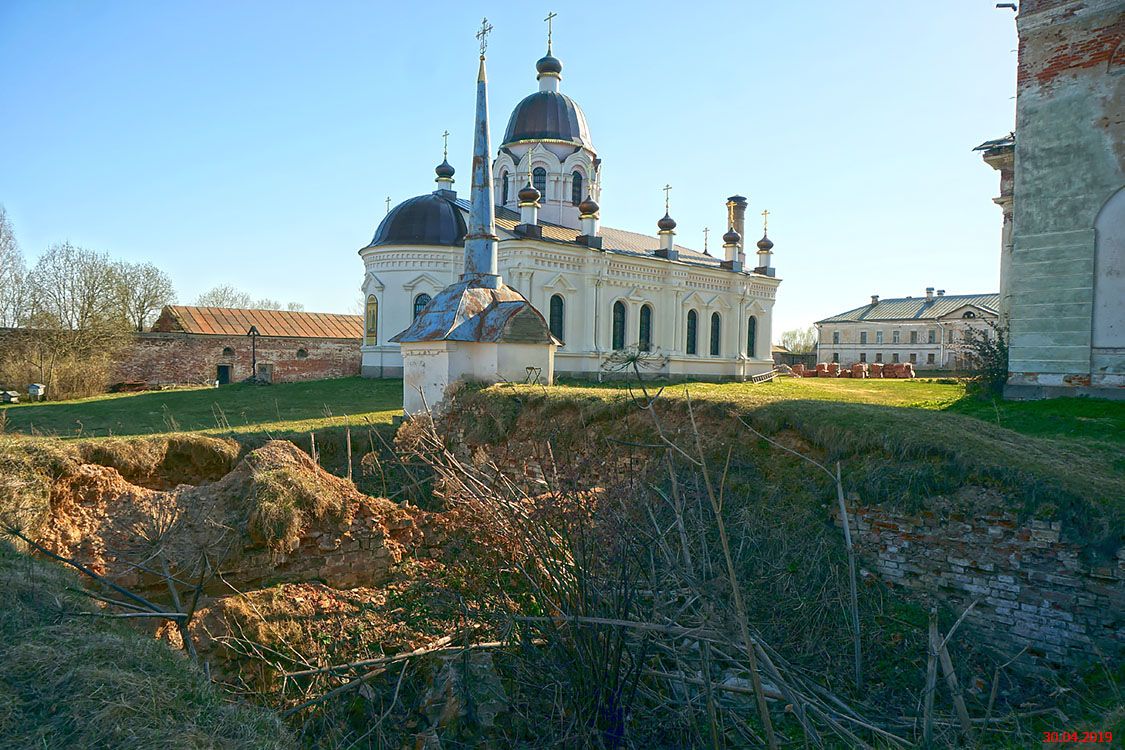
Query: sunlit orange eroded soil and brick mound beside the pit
point(275, 517)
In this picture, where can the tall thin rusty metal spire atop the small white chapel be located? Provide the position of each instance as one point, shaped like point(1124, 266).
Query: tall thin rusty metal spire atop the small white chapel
point(481, 261)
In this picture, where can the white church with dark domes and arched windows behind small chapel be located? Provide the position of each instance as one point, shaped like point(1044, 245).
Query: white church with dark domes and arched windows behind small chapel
point(601, 290)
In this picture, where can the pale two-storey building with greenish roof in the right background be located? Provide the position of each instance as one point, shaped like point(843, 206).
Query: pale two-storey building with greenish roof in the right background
point(924, 331)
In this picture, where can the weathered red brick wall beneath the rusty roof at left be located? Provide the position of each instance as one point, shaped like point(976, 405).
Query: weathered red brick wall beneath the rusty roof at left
point(181, 358)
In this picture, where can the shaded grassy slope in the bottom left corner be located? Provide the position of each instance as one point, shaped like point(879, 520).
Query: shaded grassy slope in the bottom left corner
point(75, 681)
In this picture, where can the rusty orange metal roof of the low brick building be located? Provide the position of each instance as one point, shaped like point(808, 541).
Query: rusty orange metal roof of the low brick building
point(233, 322)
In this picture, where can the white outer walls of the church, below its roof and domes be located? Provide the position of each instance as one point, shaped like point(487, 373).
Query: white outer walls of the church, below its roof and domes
point(590, 283)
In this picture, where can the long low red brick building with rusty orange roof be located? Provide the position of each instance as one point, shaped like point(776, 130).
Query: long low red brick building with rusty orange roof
point(213, 345)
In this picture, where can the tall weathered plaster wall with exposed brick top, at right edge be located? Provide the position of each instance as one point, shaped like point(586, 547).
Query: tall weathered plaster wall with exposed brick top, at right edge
point(1070, 152)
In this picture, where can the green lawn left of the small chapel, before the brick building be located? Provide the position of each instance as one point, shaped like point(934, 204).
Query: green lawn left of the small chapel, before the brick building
point(237, 410)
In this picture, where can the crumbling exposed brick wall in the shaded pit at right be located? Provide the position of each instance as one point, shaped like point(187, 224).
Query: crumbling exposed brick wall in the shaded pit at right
point(1032, 588)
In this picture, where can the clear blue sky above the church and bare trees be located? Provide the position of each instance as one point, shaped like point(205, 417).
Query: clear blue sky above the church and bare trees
point(254, 143)
